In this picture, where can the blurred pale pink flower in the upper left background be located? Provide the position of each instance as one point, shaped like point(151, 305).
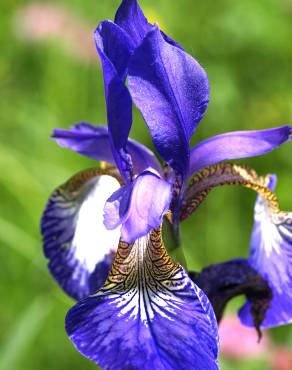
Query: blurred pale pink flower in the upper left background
point(37, 22)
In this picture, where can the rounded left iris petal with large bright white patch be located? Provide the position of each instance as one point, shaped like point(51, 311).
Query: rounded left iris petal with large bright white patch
point(79, 248)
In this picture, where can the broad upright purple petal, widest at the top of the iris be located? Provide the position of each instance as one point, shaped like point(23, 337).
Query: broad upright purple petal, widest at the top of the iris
point(172, 91)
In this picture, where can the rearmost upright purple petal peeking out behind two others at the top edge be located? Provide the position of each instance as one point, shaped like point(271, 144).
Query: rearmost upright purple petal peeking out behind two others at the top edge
point(130, 17)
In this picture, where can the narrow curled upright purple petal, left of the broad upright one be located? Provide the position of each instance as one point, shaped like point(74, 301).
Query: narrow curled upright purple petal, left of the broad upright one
point(115, 48)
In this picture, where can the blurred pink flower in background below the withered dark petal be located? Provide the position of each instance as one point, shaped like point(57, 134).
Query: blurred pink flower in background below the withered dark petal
point(239, 342)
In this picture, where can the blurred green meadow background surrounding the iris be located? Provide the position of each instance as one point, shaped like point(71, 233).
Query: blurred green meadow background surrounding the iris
point(50, 77)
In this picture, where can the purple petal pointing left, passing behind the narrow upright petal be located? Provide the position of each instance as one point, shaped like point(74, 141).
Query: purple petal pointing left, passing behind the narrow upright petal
point(93, 141)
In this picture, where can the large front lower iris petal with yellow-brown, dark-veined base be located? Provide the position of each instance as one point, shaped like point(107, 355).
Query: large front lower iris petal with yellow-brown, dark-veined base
point(148, 315)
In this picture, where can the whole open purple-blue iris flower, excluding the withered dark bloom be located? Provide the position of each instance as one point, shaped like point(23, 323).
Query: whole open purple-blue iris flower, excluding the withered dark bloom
point(102, 230)
